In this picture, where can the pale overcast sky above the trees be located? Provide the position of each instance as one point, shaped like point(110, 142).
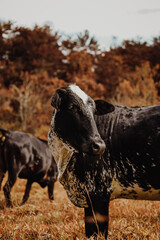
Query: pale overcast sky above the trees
point(125, 19)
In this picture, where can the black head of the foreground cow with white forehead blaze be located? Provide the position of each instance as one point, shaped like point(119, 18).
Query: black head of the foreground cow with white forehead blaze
point(73, 119)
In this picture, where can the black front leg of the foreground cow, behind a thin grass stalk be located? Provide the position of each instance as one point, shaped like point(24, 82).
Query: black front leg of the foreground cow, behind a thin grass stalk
point(96, 217)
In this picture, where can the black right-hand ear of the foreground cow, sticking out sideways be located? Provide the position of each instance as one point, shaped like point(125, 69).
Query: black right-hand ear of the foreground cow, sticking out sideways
point(103, 107)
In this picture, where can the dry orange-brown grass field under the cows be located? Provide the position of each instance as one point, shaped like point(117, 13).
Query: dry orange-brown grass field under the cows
point(59, 220)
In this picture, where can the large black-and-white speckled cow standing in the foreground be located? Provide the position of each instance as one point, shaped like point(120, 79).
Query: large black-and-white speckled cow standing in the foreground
point(104, 152)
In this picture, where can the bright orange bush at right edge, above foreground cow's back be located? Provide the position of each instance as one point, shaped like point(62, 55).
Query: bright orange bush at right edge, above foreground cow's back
point(138, 88)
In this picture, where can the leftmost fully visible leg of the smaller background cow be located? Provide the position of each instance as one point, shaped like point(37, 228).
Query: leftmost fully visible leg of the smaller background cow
point(8, 186)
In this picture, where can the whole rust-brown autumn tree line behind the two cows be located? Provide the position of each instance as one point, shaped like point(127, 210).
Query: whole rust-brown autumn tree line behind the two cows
point(34, 62)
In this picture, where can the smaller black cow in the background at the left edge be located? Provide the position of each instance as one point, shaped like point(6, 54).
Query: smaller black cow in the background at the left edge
point(27, 157)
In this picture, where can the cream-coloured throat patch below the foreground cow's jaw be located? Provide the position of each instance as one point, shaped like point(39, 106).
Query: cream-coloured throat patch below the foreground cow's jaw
point(62, 152)
